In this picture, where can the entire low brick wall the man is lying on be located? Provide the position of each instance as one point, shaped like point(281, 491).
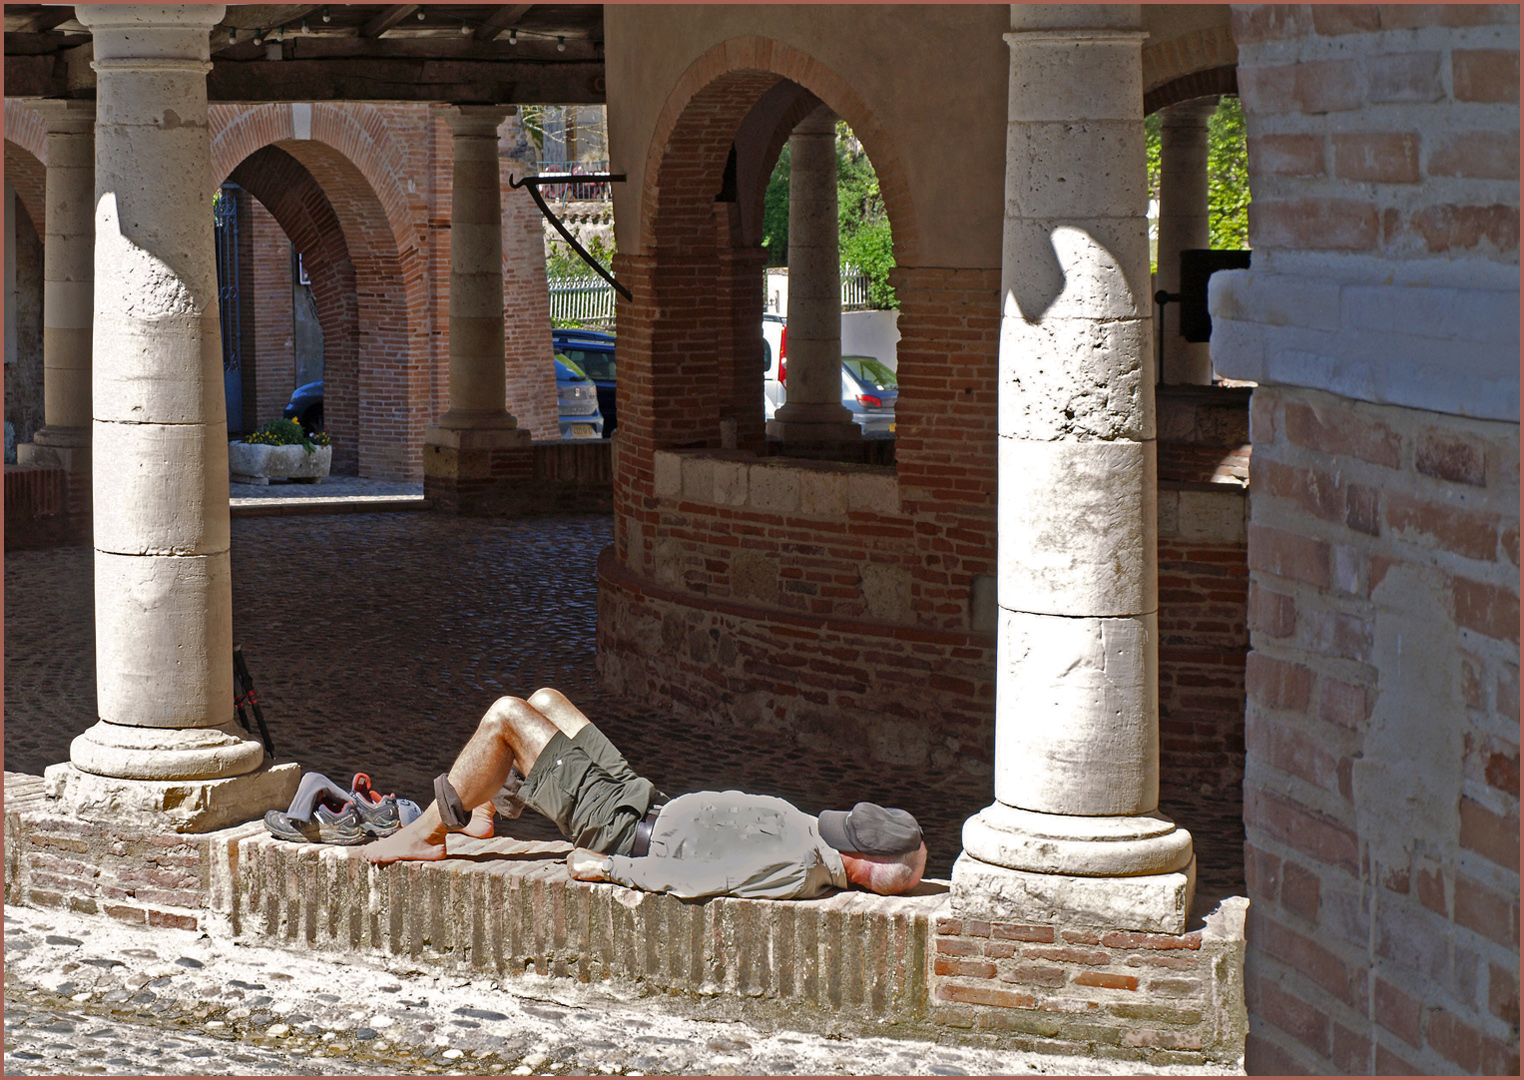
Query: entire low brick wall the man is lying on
point(851, 963)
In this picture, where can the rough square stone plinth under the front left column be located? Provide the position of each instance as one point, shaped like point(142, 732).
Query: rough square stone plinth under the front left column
point(184, 807)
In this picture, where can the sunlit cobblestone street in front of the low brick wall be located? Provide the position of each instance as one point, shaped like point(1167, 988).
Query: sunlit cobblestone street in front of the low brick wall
point(94, 997)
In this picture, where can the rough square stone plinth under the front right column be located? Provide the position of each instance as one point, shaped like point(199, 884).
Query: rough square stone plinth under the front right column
point(1154, 904)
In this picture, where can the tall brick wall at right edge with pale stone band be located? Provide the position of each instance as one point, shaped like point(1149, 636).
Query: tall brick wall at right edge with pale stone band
point(1382, 322)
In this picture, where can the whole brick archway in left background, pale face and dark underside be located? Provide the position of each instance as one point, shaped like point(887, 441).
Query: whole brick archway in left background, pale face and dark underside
point(354, 168)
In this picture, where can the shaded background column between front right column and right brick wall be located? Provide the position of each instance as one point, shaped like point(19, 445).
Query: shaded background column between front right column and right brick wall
point(1183, 225)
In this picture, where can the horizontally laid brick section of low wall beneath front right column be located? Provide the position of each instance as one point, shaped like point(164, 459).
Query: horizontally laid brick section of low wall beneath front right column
point(1162, 999)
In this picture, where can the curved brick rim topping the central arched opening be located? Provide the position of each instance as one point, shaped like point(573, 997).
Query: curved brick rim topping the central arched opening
point(712, 98)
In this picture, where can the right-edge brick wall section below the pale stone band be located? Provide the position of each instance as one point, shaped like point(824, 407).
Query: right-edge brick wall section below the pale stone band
point(1382, 799)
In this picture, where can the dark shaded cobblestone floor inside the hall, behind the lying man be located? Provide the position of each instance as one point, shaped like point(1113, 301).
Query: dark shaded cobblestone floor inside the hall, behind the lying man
point(377, 641)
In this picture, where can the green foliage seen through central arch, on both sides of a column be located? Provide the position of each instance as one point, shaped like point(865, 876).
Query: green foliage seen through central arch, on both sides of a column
point(865, 237)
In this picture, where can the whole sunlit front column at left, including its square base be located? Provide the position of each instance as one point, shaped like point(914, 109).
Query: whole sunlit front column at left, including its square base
point(167, 750)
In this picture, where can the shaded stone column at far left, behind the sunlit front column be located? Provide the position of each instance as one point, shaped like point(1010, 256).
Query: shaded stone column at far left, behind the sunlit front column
point(68, 295)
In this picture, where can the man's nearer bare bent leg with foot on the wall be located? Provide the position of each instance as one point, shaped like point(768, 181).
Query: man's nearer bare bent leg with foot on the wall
point(511, 732)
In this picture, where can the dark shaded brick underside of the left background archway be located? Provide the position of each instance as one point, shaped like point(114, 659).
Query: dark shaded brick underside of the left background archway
point(299, 206)
